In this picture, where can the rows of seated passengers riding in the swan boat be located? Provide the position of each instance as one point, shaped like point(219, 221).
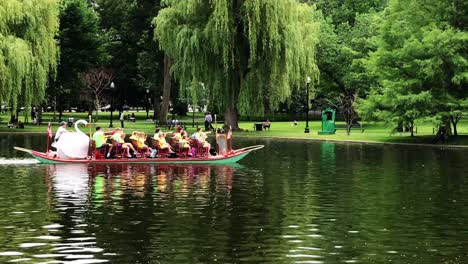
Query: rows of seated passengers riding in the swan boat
point(180, 142)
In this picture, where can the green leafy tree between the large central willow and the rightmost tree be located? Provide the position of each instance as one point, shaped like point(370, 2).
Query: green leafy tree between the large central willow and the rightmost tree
point(347, 36)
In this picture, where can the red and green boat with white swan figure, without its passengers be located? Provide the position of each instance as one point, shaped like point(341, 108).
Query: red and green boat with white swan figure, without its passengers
point(80, 153)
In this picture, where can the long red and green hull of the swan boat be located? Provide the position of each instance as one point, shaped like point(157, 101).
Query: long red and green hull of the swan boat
point(233, 157)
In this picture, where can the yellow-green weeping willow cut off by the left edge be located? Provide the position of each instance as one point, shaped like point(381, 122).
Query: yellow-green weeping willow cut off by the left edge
point(28, 50)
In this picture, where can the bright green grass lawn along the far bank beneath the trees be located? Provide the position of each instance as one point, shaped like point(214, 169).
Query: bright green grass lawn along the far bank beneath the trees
point(374, 132)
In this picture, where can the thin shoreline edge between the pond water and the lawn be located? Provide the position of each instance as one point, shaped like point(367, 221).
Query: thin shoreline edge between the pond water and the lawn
point(317, 139)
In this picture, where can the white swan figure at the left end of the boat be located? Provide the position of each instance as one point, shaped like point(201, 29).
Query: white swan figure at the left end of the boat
point(73, 145)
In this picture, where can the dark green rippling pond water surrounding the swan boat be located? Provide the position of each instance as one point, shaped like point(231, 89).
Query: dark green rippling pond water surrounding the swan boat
point(291, 202)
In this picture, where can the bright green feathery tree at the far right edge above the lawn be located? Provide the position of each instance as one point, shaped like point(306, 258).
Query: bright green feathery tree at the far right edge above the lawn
point(421, 64)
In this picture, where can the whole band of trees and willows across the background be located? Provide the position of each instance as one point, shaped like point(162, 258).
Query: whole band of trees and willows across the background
point(401, 61)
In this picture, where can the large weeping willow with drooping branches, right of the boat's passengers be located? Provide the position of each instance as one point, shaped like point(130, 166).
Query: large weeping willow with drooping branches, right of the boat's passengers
point(249, 54)
